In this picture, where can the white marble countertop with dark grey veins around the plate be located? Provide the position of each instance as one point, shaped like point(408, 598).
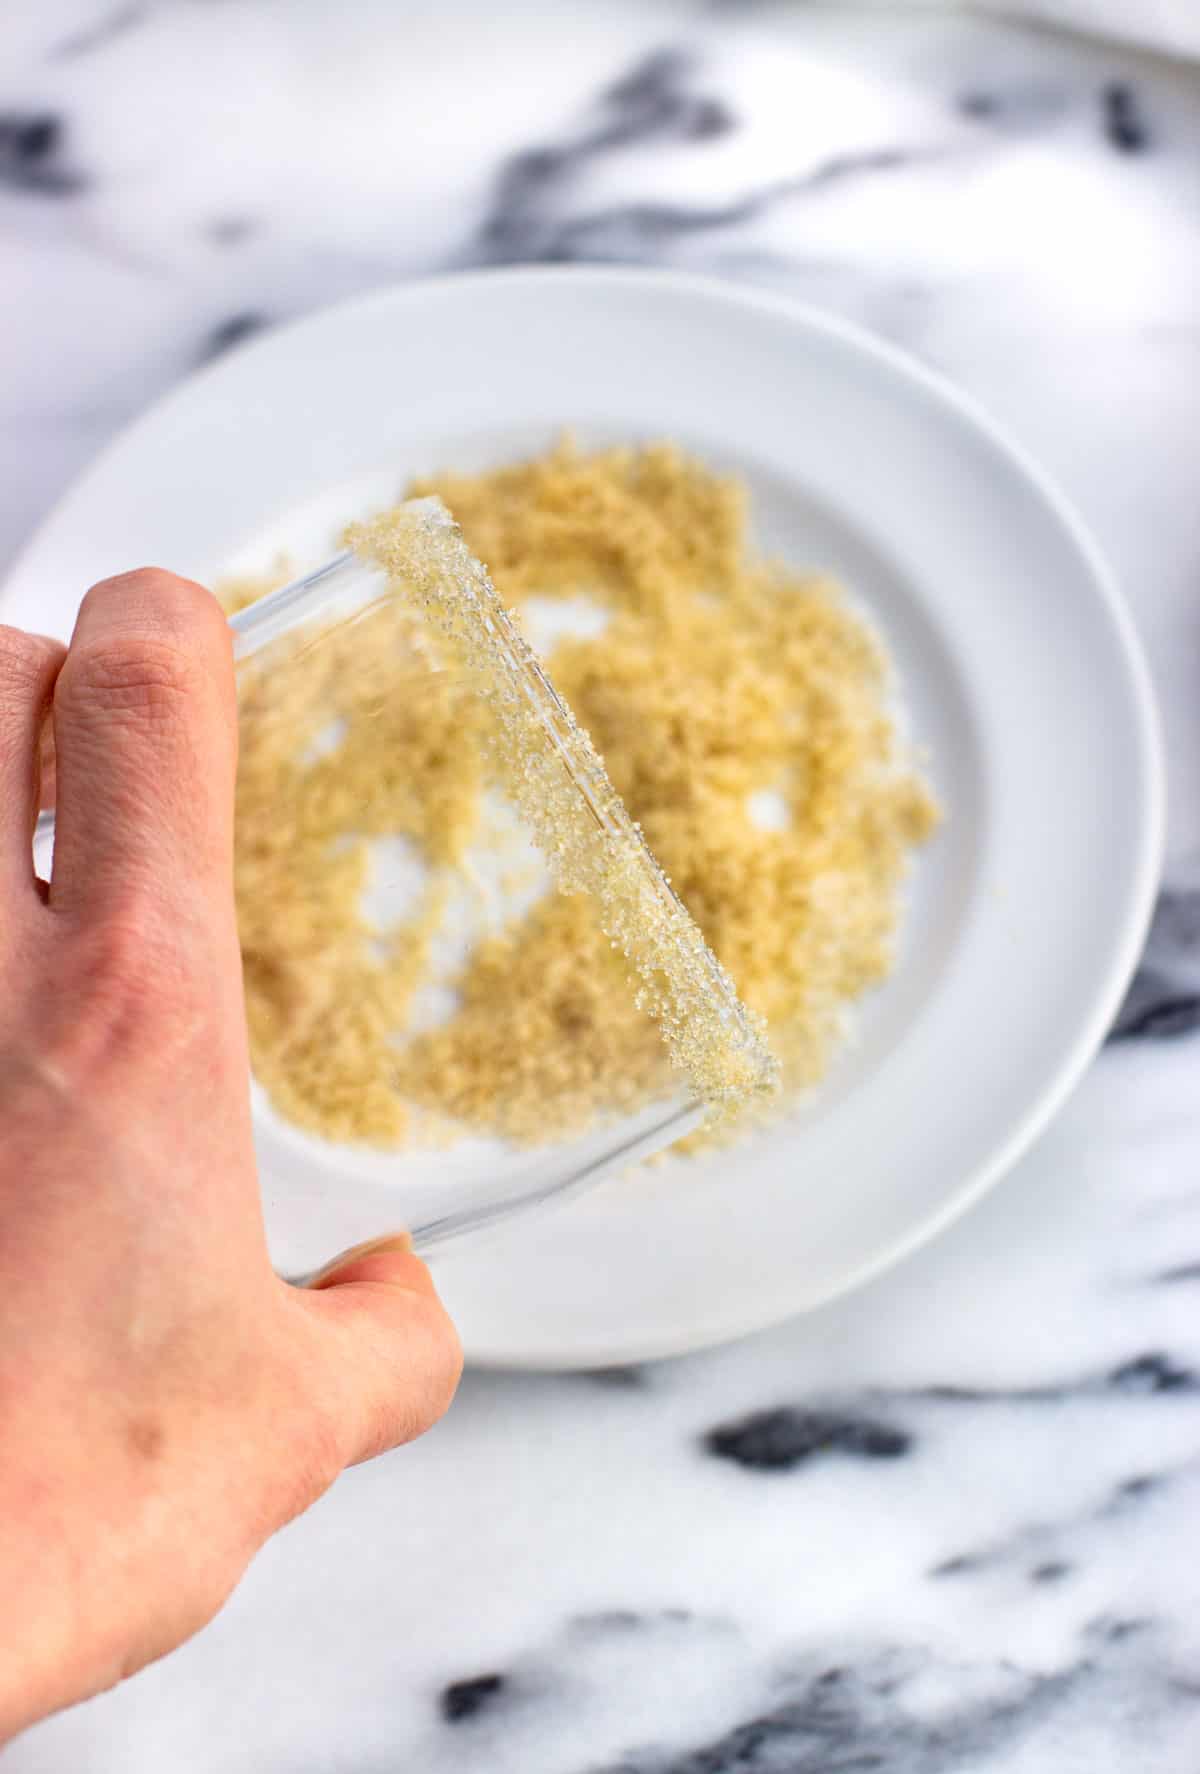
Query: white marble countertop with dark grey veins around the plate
point(949, 1523)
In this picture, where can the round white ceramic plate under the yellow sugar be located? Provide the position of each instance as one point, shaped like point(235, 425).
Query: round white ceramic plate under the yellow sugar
point(1020, 668)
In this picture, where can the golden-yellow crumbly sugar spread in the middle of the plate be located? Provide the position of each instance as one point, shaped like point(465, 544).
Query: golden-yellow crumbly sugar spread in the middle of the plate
point(720, 687)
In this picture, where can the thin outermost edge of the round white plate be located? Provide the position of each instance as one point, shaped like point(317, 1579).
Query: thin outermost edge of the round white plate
point(1148, 730)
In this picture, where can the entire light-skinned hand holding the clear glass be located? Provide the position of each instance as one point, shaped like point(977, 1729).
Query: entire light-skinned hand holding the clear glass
point(166, 1401)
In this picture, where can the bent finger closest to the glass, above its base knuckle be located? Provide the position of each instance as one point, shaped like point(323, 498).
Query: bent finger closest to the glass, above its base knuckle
point(145, 718)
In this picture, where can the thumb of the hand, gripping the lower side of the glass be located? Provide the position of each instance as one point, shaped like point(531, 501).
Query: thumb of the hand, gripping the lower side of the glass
point(393, 1354)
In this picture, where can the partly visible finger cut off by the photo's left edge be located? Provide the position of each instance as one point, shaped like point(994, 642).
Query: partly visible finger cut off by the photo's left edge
point(29, 668)
